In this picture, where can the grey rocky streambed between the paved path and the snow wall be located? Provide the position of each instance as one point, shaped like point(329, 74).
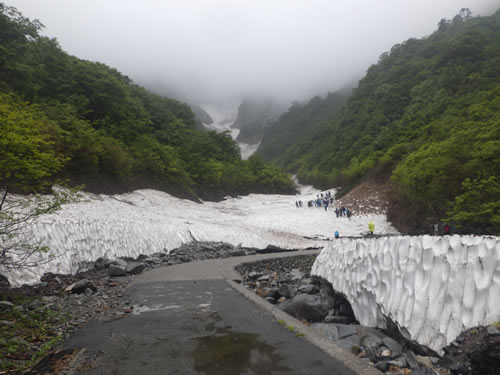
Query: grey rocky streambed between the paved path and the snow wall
point(286, 282)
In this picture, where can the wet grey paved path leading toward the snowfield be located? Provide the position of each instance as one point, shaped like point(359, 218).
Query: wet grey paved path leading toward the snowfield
point(188, 320)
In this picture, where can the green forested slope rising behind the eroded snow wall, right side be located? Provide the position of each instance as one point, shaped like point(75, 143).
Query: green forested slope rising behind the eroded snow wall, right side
point(425, 118)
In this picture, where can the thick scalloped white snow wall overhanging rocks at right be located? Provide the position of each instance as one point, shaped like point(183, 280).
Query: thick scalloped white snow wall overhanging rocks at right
point(432, 287)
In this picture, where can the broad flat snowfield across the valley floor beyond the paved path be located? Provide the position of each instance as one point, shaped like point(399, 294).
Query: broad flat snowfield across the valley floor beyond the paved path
point(149, 221)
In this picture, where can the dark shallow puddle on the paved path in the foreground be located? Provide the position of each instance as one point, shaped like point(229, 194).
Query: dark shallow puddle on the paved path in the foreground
point(235, 353)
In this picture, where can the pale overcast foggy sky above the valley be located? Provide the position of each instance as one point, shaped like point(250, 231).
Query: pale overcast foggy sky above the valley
point(210, 50)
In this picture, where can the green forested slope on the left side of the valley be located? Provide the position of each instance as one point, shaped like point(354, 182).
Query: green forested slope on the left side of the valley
point(66, 119)
